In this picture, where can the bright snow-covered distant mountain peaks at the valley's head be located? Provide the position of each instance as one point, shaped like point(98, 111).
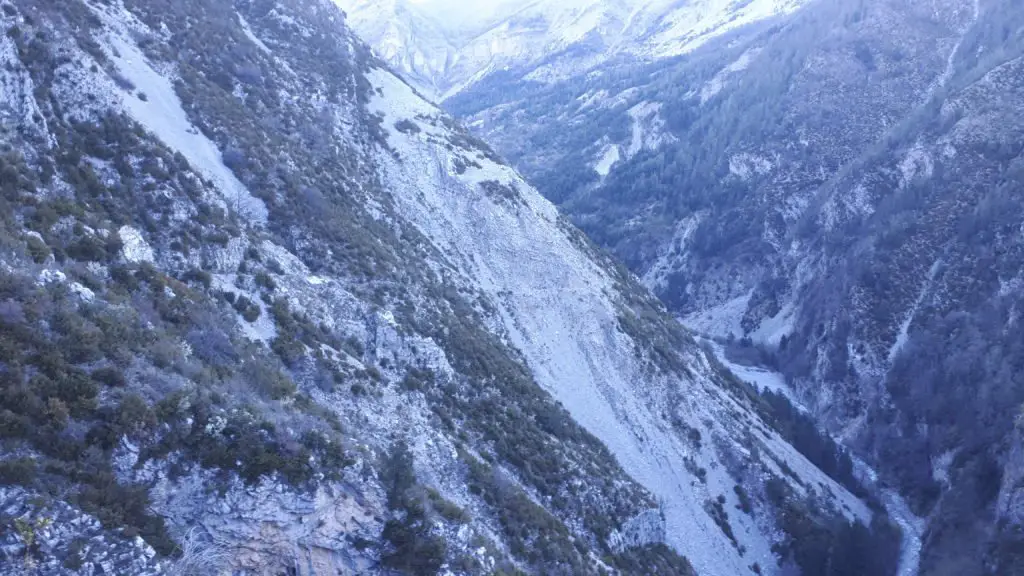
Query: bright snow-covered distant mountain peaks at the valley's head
point(444, 52)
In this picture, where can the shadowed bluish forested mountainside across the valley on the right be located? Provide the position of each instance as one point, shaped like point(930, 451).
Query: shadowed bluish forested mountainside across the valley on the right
point(841, 186)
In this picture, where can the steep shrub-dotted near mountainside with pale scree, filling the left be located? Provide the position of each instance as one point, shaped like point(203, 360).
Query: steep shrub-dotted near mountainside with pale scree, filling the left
point(265, 310)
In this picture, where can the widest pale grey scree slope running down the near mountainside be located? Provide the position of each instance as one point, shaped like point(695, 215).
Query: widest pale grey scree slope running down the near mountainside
point(559, 308)
